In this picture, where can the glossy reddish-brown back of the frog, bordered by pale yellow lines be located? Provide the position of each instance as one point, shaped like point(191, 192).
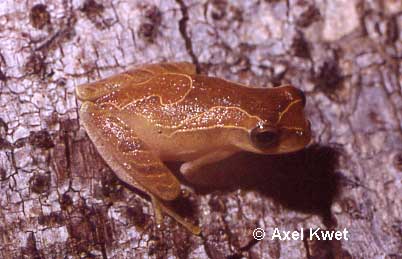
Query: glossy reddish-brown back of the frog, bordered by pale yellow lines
point(174, 100)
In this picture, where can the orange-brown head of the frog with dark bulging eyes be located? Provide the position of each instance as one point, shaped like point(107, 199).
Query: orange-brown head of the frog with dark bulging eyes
point(282, 126)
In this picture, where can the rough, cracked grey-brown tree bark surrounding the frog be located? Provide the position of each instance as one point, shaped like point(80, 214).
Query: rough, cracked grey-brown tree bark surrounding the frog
point(58, 199)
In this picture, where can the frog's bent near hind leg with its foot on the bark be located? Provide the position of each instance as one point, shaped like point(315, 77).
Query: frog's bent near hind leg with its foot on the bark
point(131, 159)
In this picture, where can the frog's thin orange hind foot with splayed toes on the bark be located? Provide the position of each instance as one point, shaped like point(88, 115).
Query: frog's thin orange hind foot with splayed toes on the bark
point(159, 207)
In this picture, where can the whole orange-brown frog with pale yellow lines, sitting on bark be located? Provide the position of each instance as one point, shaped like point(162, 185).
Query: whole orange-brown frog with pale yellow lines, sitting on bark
point(151, 114)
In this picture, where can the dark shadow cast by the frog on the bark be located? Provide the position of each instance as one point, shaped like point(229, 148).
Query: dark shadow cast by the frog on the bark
point(304, 181)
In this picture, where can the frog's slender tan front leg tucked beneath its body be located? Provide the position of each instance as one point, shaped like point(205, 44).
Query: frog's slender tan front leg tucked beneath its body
point(191, 166)
